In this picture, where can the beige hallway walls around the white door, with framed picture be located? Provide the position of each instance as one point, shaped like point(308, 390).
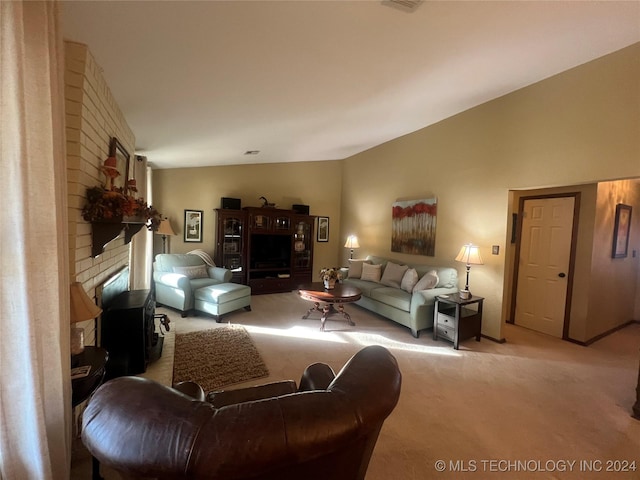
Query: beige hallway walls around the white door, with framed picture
point(603, 288)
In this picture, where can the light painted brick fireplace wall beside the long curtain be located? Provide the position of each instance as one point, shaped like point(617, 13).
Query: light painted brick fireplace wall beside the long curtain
point(92, 118)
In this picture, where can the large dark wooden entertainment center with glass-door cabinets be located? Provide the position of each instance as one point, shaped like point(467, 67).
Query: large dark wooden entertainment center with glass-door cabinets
point(269, 249)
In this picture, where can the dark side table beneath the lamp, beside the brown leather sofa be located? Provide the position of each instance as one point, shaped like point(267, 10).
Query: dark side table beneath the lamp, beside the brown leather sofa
point(82, 388)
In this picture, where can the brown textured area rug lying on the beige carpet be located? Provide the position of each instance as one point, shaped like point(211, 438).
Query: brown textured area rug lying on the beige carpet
point(217, 357)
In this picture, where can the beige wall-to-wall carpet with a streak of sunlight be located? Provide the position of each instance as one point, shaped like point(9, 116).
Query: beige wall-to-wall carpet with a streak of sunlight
point(533, 398)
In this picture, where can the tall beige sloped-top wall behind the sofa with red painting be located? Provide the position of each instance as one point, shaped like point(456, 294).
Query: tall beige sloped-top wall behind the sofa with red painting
point(578, 127)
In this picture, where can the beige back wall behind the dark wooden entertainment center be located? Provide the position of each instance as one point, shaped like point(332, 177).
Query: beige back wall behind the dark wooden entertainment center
point(317, 184)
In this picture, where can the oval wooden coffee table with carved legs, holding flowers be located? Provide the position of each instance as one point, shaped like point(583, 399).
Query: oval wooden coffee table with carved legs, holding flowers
point(340, 294)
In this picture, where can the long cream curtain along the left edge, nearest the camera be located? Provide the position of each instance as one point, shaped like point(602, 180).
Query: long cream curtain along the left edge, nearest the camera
point(35, 386)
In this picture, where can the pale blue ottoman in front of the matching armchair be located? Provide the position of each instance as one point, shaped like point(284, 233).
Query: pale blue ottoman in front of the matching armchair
point(222, 298)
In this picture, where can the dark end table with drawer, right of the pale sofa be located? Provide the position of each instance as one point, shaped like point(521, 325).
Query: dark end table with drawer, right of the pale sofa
point(457, 319)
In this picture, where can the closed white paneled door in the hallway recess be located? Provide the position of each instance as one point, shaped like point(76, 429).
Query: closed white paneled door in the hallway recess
point(545, 250)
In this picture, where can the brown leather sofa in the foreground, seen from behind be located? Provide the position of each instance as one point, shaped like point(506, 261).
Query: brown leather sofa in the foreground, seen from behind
point(326, 429)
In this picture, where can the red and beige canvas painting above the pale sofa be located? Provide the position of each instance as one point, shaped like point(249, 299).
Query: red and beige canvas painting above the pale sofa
point(414, 227)
